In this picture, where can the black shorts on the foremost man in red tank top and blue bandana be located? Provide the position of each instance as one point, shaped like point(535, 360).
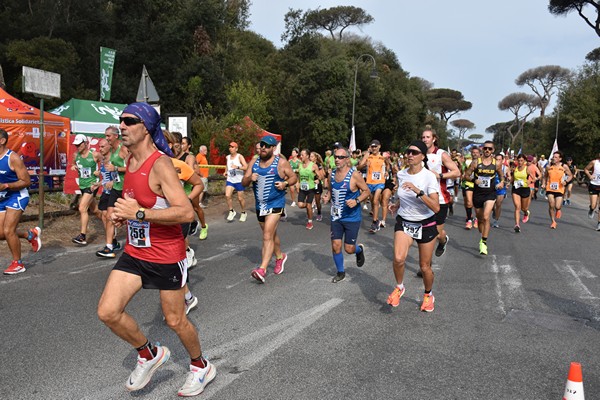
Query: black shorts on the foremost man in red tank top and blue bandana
point(154, 275)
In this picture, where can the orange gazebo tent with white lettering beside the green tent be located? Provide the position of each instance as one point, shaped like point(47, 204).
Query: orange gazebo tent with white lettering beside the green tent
point(22, 122)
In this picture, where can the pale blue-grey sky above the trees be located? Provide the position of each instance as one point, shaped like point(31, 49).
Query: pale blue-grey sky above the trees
point(478, 47)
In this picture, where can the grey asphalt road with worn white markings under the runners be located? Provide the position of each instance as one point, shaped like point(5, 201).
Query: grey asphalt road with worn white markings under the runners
point(506, 326)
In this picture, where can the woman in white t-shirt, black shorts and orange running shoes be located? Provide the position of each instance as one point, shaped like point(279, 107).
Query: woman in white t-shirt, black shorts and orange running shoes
point(418, 202)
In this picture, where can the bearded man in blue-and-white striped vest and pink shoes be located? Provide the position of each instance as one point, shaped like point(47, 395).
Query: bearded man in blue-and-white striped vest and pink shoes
point(270, 176)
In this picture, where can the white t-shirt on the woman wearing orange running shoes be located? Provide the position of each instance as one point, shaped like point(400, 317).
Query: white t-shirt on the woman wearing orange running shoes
point(412, 208)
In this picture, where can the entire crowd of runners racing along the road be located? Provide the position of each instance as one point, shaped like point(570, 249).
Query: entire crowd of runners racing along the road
point(152, 188)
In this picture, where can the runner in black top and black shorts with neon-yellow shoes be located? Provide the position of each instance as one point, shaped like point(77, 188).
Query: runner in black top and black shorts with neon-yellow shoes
point(482, 172)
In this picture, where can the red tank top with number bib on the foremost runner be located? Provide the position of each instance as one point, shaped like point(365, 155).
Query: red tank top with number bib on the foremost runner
point(147, 241)
